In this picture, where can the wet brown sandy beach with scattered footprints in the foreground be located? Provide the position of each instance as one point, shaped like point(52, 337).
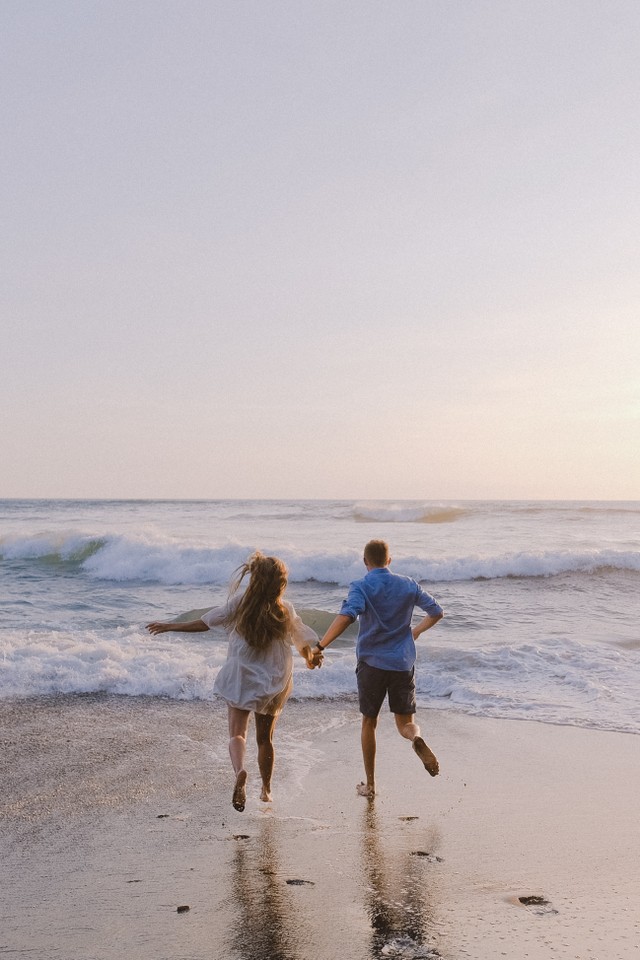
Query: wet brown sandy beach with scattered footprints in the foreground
point(116, 812)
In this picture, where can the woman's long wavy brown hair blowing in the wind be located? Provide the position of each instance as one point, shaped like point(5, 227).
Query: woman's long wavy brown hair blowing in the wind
point(260, 616)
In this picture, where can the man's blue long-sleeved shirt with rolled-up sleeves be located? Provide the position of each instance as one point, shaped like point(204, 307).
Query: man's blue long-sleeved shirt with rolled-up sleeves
point(384, 602)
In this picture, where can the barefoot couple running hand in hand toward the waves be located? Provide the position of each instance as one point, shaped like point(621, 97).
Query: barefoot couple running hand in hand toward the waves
point(258, 674)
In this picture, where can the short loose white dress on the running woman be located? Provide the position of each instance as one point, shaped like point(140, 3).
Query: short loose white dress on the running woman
point(259, 680)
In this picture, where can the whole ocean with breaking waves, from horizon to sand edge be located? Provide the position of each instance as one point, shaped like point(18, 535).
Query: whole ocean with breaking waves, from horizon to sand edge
point(542, 599)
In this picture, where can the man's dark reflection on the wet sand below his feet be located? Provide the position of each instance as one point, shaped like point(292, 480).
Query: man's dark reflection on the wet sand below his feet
point(396, 899)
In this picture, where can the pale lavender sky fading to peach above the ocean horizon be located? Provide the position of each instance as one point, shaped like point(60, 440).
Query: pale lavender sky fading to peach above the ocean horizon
point(384, 249)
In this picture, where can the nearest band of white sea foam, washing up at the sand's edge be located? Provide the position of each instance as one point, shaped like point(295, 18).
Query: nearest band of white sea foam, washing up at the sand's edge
point(574, 683)
